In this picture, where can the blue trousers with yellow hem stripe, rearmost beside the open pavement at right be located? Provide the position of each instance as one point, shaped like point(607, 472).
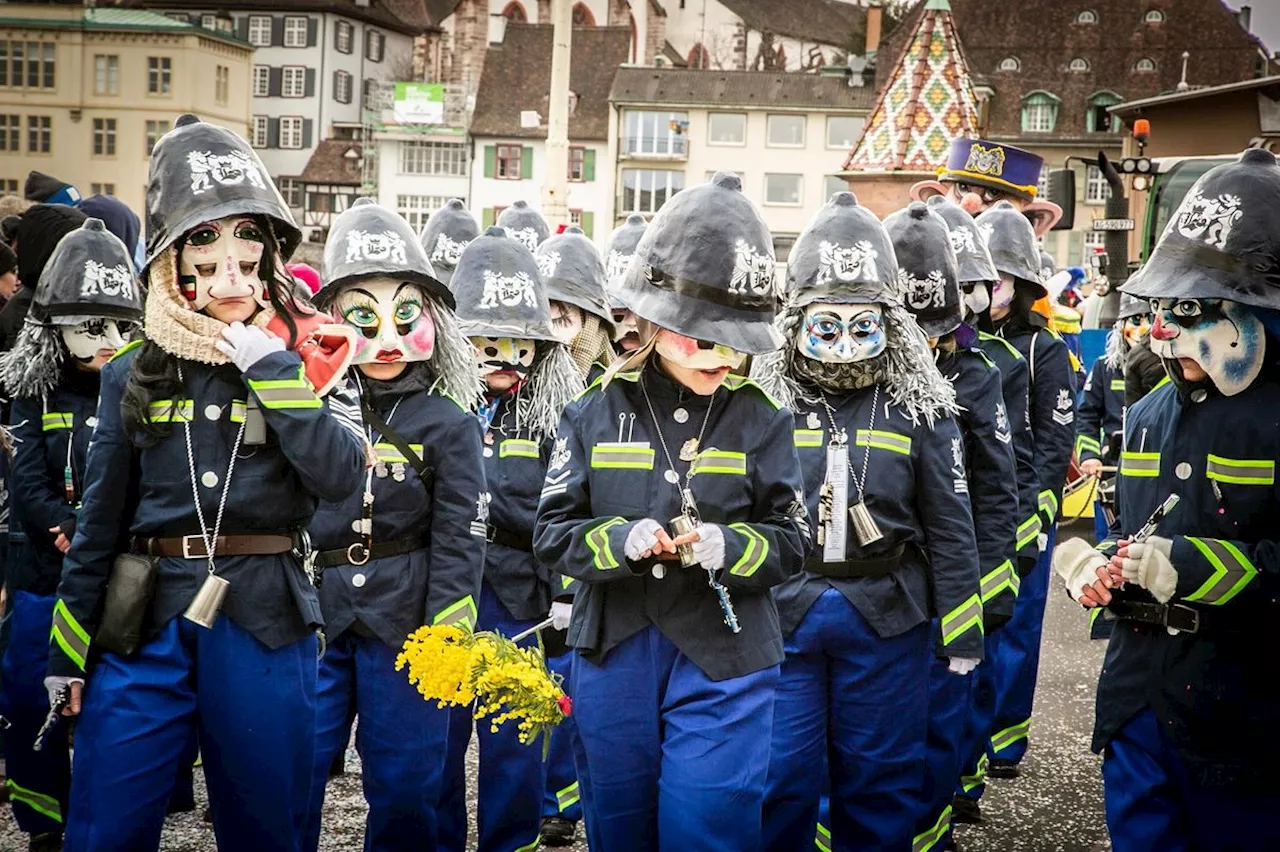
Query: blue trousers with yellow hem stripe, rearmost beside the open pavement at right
point(1017, 663)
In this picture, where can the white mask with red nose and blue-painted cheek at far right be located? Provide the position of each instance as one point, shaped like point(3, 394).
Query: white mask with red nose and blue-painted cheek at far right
point(1227, 340)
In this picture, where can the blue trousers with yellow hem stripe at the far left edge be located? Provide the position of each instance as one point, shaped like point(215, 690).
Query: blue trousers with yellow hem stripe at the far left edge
point(39, 781)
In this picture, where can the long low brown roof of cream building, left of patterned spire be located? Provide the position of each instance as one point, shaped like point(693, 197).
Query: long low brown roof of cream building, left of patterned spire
point(725, 89)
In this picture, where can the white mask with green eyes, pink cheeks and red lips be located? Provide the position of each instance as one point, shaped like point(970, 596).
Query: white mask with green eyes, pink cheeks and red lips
point(391, 319)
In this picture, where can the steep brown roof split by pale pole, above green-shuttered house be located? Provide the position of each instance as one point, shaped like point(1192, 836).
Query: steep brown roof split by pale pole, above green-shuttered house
point(518, 76)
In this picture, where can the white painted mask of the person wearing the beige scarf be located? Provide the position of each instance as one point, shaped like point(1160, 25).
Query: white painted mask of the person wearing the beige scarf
point(222, 260)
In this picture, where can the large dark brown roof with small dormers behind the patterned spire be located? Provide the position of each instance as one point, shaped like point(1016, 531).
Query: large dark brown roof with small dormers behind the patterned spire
point(1046, 35)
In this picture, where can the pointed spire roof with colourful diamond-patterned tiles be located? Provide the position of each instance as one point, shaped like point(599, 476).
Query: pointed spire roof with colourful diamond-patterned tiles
point(927, 102)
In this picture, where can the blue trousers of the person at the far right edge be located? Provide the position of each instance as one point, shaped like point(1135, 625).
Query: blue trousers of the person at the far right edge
point(1154, 805)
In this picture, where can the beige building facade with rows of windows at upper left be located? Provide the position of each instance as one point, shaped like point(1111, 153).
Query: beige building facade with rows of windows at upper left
point(86, 93)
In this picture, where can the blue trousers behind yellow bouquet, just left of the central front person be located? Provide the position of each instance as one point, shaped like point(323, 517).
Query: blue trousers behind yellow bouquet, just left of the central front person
point(513, 775)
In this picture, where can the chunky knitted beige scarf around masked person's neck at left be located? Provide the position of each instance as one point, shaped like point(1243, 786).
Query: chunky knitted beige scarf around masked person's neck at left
point(173, 326)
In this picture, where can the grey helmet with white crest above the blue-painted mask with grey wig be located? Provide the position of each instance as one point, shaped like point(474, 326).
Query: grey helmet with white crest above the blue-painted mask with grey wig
point(843, 255)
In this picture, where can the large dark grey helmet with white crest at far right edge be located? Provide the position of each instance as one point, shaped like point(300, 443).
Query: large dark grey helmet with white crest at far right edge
point(1223, 242)
